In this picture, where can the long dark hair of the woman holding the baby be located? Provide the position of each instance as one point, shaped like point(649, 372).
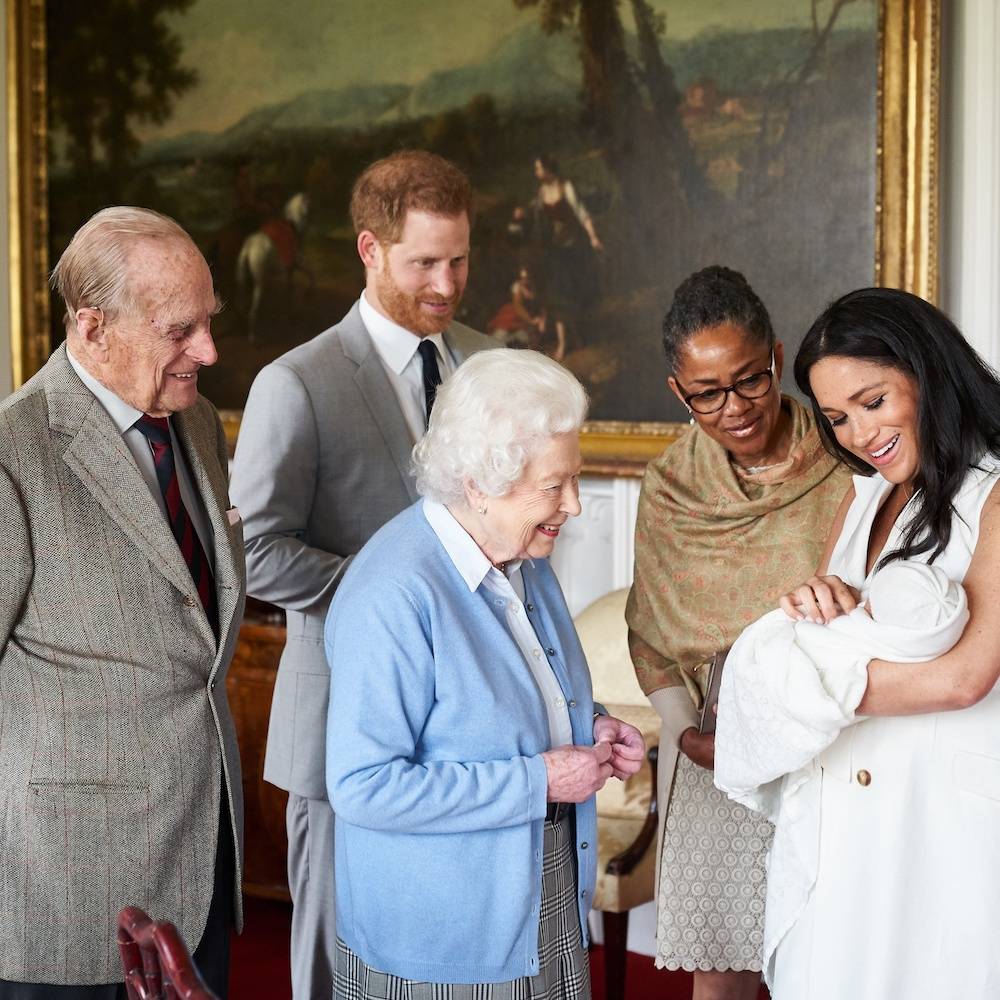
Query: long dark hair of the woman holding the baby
point(958, 408)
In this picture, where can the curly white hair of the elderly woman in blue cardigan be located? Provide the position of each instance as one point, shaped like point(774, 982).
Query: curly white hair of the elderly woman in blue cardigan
point(496, 412)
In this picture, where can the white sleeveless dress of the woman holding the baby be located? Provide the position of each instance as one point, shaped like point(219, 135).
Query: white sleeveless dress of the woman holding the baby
point(906, 903)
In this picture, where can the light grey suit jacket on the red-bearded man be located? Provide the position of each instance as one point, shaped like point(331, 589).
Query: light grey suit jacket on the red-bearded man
point(322, 462)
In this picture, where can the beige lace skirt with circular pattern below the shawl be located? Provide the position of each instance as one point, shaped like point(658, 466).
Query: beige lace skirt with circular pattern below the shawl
point(710, 910)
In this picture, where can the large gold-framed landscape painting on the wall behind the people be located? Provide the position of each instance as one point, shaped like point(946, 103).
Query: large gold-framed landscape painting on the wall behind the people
point(616, 146)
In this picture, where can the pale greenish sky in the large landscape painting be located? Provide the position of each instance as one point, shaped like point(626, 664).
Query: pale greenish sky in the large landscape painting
point(250, 53)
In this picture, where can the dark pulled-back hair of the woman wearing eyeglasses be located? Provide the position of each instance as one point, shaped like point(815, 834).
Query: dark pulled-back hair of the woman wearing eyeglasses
point(710, 297)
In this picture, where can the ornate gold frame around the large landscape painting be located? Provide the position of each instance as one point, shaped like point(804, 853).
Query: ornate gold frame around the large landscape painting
point(905, 185)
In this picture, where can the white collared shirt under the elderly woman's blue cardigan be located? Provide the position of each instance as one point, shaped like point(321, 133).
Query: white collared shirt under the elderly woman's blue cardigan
point(506, 592)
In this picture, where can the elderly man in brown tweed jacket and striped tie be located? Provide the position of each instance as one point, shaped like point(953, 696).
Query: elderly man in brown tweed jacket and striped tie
point(121, 594)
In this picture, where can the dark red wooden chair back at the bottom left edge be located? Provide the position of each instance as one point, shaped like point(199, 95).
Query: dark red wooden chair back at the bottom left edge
point(156, 962)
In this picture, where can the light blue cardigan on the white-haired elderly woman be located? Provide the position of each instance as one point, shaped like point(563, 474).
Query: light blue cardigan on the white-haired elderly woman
point(433, 766)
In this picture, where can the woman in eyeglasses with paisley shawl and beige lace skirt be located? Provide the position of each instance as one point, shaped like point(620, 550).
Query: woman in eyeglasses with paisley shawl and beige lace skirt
point(729, 518)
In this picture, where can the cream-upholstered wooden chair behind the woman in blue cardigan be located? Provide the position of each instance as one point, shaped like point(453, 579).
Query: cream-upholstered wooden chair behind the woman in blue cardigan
point(626, 811)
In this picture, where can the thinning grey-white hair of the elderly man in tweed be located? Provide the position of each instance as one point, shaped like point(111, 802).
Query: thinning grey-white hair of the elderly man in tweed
point(93, 269)
